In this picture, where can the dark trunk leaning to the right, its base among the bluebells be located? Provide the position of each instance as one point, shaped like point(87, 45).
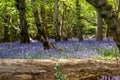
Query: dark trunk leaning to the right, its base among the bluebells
point(41, 33)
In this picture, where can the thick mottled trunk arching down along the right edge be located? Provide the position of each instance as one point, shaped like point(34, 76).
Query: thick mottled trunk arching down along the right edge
point(110, 17)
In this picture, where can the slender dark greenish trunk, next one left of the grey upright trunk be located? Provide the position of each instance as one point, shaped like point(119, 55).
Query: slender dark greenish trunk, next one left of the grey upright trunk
point(78, 23)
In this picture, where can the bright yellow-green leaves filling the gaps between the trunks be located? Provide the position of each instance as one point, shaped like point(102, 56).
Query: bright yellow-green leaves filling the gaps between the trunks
point(87, 14)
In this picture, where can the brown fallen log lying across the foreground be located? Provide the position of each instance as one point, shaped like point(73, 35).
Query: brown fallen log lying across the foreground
point(74, 69)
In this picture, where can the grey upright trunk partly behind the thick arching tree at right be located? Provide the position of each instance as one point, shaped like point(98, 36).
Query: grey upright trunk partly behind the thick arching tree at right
point(98, 35)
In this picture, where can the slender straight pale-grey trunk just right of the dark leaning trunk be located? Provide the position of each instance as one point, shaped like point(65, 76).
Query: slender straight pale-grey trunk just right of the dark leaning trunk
point(56, 23)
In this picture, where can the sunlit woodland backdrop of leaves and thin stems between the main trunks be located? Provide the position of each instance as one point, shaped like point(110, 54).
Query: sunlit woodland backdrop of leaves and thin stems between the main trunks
point(67, 10)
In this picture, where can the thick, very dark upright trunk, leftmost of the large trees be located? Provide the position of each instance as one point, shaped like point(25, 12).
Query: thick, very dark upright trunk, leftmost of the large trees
point(24, 38)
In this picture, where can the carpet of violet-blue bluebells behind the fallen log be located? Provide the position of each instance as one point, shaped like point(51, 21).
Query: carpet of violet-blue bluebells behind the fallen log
point(65, 49)
